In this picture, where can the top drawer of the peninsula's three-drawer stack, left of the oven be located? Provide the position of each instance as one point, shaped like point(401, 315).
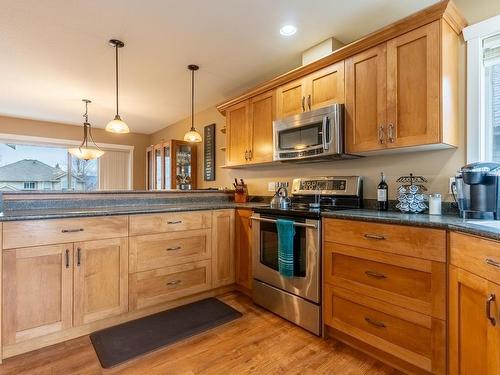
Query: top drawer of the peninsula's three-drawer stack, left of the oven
point(170, 222)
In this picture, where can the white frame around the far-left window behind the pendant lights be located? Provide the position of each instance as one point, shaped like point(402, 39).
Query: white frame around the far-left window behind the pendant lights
point(33, 141)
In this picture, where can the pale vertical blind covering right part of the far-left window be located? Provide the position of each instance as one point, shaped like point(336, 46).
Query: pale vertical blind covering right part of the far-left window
point(114, 170)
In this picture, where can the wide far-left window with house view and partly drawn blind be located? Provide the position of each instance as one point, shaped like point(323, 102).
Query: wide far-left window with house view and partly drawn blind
point(31, 165)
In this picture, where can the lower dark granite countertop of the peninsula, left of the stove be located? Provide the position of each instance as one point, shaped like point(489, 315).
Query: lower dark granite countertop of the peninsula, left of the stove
point(58, 213)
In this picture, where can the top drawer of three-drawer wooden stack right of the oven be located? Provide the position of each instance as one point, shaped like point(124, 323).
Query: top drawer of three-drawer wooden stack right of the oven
point(422, 243)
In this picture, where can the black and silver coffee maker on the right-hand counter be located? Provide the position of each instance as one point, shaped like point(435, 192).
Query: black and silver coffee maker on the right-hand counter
point(477, 191)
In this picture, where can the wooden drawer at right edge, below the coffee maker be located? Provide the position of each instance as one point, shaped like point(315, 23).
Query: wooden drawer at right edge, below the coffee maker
point(477, 255)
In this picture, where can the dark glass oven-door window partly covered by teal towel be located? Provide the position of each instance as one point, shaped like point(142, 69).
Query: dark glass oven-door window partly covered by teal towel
point(269, 248)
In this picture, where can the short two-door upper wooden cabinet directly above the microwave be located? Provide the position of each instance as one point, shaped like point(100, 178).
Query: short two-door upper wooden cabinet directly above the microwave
point(316, 90)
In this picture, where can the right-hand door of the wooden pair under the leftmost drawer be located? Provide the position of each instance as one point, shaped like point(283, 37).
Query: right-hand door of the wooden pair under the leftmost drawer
point(100, 279)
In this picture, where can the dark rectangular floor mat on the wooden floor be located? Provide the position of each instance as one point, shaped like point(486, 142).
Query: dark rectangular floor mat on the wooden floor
point(126, 341)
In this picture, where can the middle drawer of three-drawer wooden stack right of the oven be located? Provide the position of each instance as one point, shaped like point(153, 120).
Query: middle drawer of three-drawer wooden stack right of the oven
point(412, 283)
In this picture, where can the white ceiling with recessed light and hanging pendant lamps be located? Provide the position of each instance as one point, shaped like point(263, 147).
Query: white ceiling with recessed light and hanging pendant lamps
point(55, 52)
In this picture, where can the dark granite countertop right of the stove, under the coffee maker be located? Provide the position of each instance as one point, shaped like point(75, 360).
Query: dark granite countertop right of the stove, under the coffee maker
point(485, 228)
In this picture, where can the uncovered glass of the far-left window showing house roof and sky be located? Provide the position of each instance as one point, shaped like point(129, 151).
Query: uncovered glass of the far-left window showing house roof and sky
point(40, 167)
